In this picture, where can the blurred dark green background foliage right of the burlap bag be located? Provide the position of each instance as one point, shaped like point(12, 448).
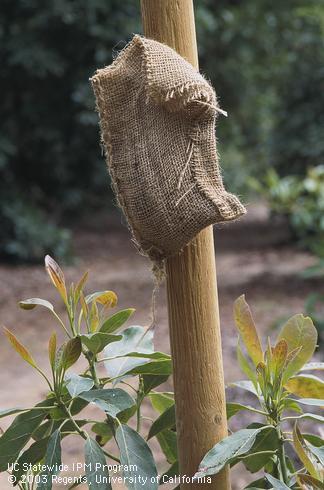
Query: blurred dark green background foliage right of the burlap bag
point(266, 61)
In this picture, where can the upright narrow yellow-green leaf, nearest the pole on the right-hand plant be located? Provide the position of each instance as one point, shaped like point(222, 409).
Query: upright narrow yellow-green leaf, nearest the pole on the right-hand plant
point(245, 325)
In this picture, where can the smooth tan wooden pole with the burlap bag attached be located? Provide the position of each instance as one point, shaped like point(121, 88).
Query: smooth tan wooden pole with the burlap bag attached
point(192, 295)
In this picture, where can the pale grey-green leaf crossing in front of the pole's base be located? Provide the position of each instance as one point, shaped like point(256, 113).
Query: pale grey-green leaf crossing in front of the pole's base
point(227, 451)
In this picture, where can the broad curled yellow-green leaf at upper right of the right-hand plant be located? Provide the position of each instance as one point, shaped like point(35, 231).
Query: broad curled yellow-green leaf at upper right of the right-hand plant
point(298, 332)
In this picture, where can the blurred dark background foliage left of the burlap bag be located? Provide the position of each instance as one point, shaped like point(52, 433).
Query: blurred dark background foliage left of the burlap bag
point(50, 158)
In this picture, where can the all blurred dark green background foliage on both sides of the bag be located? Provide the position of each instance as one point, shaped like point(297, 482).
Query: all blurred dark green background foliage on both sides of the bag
point(264, 58)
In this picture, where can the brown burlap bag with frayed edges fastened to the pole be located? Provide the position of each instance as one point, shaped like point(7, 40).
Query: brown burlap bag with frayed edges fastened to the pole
point(157, 117)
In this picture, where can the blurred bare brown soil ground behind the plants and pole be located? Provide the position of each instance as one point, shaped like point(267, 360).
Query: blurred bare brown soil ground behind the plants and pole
point(253, 257)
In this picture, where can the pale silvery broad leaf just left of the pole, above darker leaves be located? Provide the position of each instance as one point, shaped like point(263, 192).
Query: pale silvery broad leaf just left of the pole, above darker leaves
point(135, 339)
